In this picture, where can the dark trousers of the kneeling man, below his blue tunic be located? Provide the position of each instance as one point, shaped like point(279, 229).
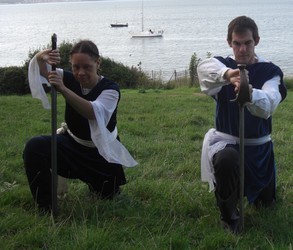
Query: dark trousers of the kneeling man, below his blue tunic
point(226, 170)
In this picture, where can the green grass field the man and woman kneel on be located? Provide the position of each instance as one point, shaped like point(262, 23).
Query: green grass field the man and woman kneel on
point(164, 204)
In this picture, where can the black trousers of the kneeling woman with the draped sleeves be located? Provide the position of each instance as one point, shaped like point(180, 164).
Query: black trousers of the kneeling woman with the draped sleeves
point(74, 161)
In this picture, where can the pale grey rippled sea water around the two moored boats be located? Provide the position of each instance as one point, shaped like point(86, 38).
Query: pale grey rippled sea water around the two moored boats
point(190, 26)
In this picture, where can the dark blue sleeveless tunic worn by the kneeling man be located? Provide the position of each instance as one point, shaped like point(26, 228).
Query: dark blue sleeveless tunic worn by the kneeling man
point(259, 160)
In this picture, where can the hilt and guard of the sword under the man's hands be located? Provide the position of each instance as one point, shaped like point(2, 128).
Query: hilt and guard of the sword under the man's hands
point(244, 94)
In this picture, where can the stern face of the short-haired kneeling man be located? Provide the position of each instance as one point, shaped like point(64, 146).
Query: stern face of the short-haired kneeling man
point(243, 46)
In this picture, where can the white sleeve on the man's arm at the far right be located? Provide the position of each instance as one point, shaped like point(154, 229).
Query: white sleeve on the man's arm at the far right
point(266, 100)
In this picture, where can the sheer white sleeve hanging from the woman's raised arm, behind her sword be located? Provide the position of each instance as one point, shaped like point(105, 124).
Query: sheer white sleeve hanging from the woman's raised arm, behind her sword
point(36, 82)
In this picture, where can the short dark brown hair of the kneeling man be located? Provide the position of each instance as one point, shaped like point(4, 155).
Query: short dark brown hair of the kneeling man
point(241, 24)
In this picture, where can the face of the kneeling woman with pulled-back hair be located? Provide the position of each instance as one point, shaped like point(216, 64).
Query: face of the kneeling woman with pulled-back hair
point(84, 69)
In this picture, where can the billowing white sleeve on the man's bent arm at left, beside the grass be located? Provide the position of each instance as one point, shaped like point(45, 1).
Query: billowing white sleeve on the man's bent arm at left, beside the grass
point(211, 76)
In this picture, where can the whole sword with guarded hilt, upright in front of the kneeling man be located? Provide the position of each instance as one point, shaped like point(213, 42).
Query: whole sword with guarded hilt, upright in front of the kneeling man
point(243, 97)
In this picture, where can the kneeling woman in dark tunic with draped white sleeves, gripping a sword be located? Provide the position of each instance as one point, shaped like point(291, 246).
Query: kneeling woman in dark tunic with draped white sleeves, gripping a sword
point(89, 147)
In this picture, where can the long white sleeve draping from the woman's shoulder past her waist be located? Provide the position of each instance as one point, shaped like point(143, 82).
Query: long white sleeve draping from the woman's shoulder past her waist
point(105, 141)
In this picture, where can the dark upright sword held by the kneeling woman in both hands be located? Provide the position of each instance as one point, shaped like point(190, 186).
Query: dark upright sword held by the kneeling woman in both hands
point(54, 137)
